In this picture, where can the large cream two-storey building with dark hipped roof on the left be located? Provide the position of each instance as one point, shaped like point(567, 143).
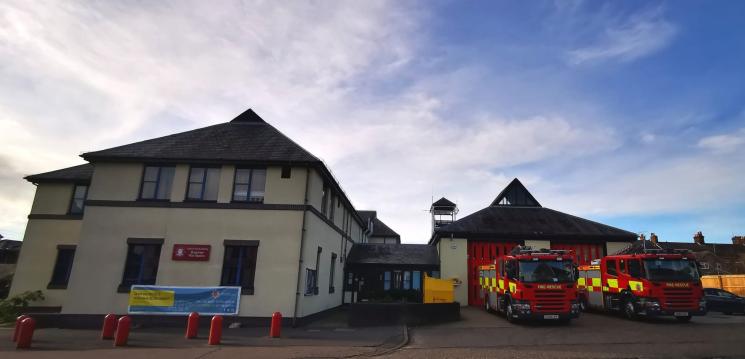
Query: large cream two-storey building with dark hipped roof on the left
point(264, 213)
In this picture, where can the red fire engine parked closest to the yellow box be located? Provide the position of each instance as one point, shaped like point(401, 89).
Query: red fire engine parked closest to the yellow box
point(531, 284)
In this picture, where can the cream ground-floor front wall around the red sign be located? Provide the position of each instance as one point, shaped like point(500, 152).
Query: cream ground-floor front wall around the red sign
point(103, 247)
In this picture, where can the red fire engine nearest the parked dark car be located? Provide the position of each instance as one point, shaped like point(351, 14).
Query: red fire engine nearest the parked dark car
point(651, 282)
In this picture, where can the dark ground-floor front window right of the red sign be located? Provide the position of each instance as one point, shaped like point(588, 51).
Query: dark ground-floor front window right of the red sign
point(239, 265)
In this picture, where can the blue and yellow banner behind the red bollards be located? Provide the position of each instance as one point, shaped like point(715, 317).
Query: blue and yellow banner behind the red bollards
point(152, 299)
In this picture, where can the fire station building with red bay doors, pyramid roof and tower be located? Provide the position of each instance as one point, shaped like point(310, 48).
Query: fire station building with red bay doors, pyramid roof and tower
point(514, 218)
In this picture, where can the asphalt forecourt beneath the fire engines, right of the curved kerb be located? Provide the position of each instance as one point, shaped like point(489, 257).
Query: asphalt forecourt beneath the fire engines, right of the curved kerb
point(593, 335)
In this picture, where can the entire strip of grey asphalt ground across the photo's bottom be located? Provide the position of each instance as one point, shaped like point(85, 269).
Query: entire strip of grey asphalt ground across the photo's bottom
point(477, 335)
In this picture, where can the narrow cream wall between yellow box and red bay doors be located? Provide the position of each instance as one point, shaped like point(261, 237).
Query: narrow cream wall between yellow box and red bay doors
point(454, 264)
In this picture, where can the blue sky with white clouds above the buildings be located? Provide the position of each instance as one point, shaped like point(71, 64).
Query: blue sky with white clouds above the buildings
point(630, 113)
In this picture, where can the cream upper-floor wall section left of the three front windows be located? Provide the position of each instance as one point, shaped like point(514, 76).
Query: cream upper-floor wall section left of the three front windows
point(116, 181)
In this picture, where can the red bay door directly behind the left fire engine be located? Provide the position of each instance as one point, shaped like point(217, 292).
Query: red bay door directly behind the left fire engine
point(482, 253)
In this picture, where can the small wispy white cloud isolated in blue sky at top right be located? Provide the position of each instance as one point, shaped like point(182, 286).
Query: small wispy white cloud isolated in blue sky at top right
point(641, 35)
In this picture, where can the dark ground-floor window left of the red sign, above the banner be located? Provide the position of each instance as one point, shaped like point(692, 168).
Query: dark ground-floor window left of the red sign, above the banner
point(141, 266)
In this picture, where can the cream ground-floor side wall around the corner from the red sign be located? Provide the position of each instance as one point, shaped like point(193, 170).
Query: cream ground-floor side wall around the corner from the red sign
point(318, 233)
